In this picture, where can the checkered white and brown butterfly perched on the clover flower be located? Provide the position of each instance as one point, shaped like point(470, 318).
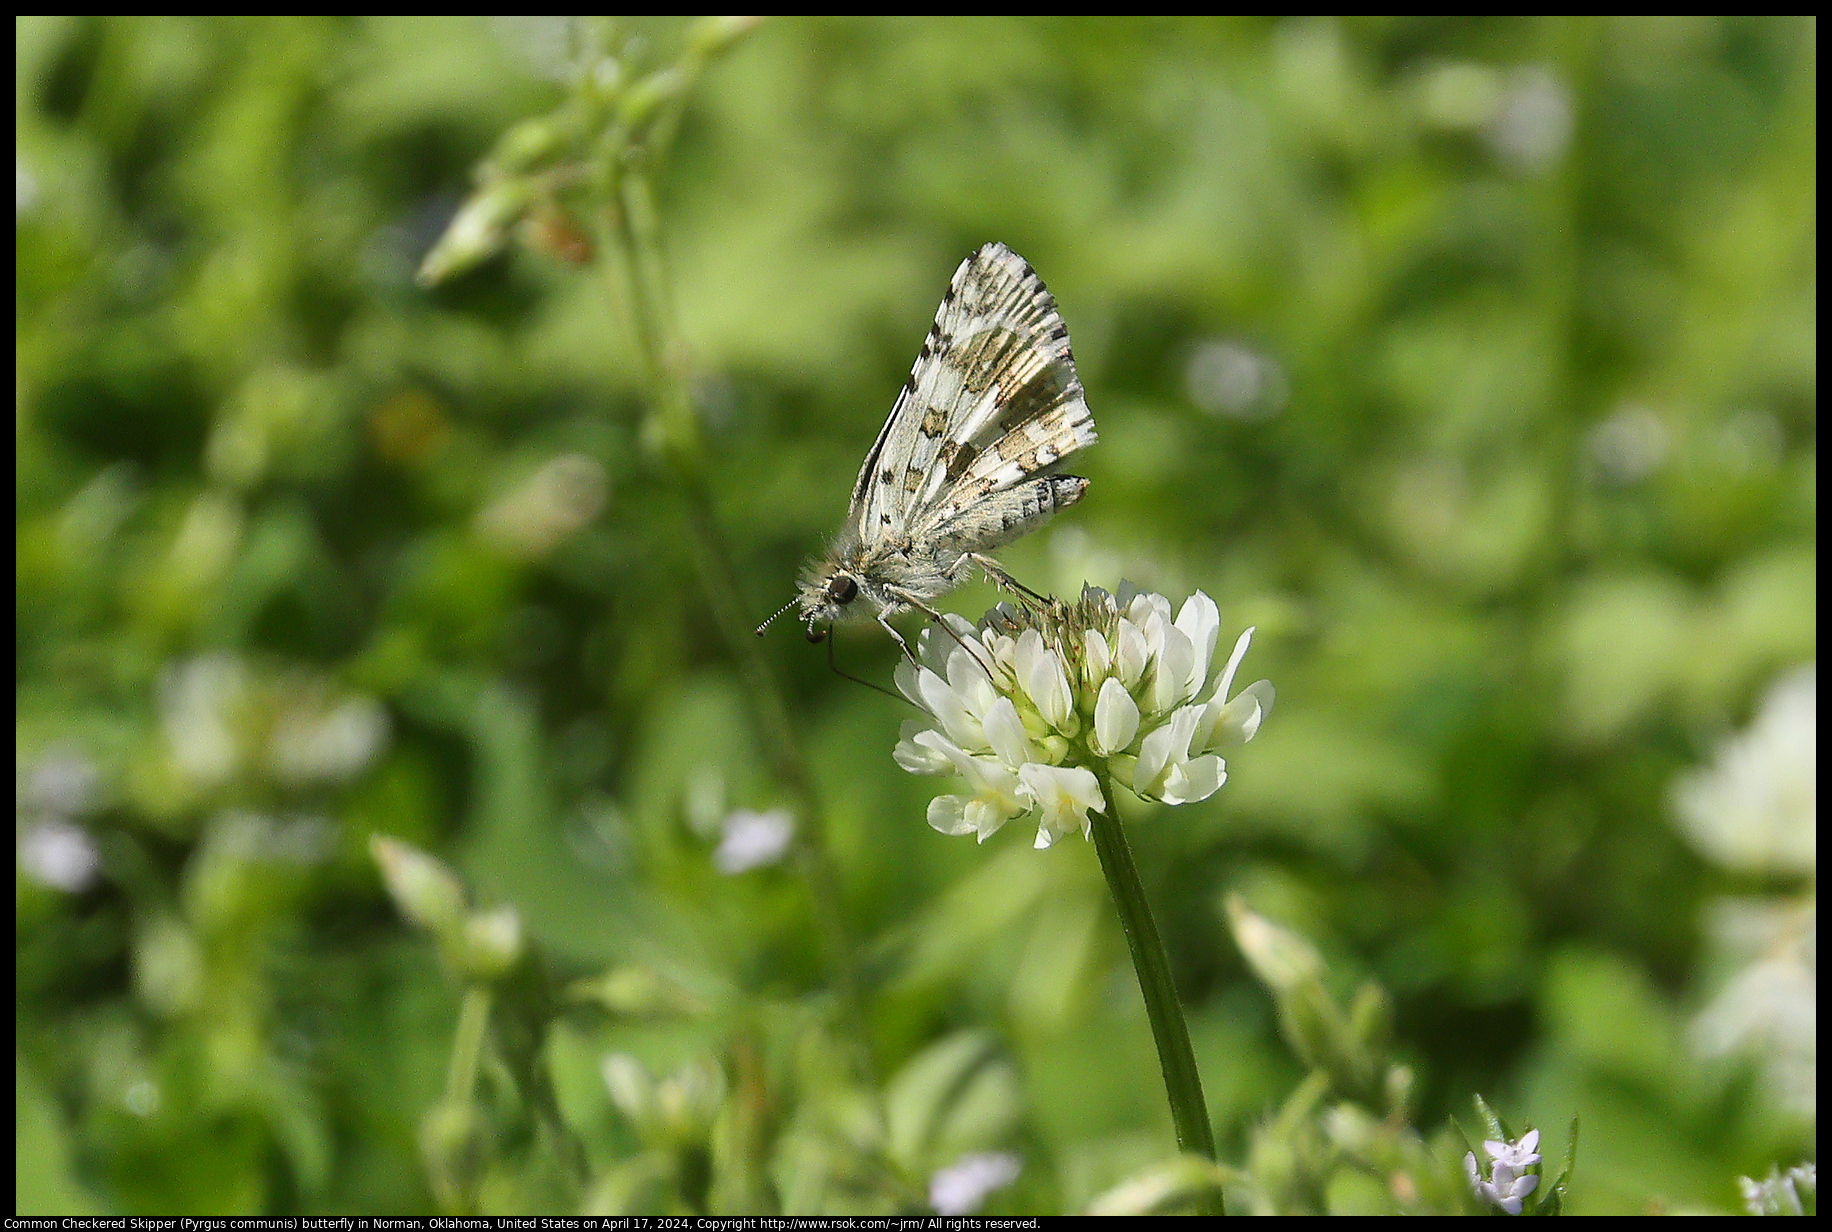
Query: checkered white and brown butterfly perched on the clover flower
point(966, 463)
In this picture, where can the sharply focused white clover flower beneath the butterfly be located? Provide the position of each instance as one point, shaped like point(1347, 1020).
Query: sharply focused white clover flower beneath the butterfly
point(1034, 703)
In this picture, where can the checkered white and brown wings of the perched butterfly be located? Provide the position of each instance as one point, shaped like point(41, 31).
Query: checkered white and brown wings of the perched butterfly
point(994, 399)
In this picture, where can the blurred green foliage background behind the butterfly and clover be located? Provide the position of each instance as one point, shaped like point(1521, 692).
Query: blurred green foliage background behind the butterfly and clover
point(1472, 360)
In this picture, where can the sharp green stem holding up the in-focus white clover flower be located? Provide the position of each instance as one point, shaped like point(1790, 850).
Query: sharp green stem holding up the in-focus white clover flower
point(1190, 1112)
